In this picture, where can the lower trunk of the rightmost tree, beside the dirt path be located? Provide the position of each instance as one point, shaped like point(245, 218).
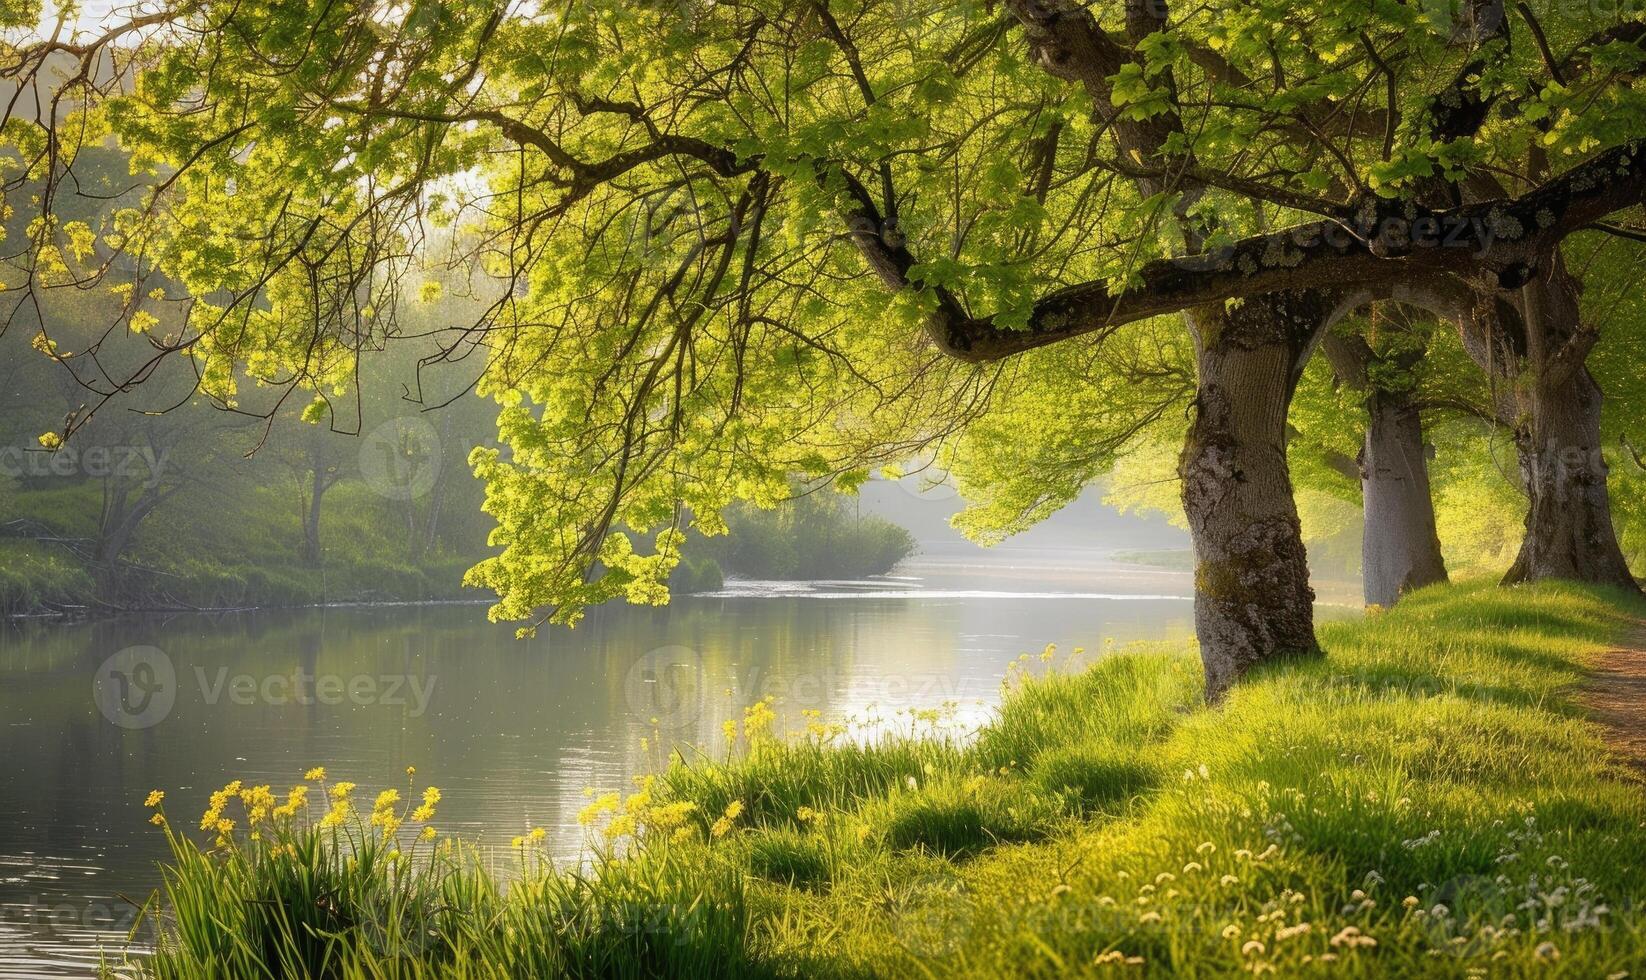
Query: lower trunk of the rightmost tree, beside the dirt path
point(1569, 531)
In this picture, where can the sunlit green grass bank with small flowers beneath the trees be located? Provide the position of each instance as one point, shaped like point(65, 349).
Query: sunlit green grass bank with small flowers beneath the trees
point(1425, 801)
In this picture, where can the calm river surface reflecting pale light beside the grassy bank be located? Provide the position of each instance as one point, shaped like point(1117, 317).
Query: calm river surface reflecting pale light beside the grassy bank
point(96, 716)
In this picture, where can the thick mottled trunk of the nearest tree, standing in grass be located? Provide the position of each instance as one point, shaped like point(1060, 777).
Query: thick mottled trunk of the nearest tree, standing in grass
point(1253, 600)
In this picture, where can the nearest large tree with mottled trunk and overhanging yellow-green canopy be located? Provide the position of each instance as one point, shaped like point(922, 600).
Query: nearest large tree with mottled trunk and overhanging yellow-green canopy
point(681, 207)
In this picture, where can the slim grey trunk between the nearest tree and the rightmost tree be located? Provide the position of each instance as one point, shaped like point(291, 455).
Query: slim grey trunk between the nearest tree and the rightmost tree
point(1402, 549)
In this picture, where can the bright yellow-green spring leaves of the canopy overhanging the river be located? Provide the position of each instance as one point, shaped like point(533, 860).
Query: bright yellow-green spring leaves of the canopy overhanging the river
point(651, 210)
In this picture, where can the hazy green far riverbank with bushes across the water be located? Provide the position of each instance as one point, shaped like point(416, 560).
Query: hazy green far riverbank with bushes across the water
point(251, 553)
